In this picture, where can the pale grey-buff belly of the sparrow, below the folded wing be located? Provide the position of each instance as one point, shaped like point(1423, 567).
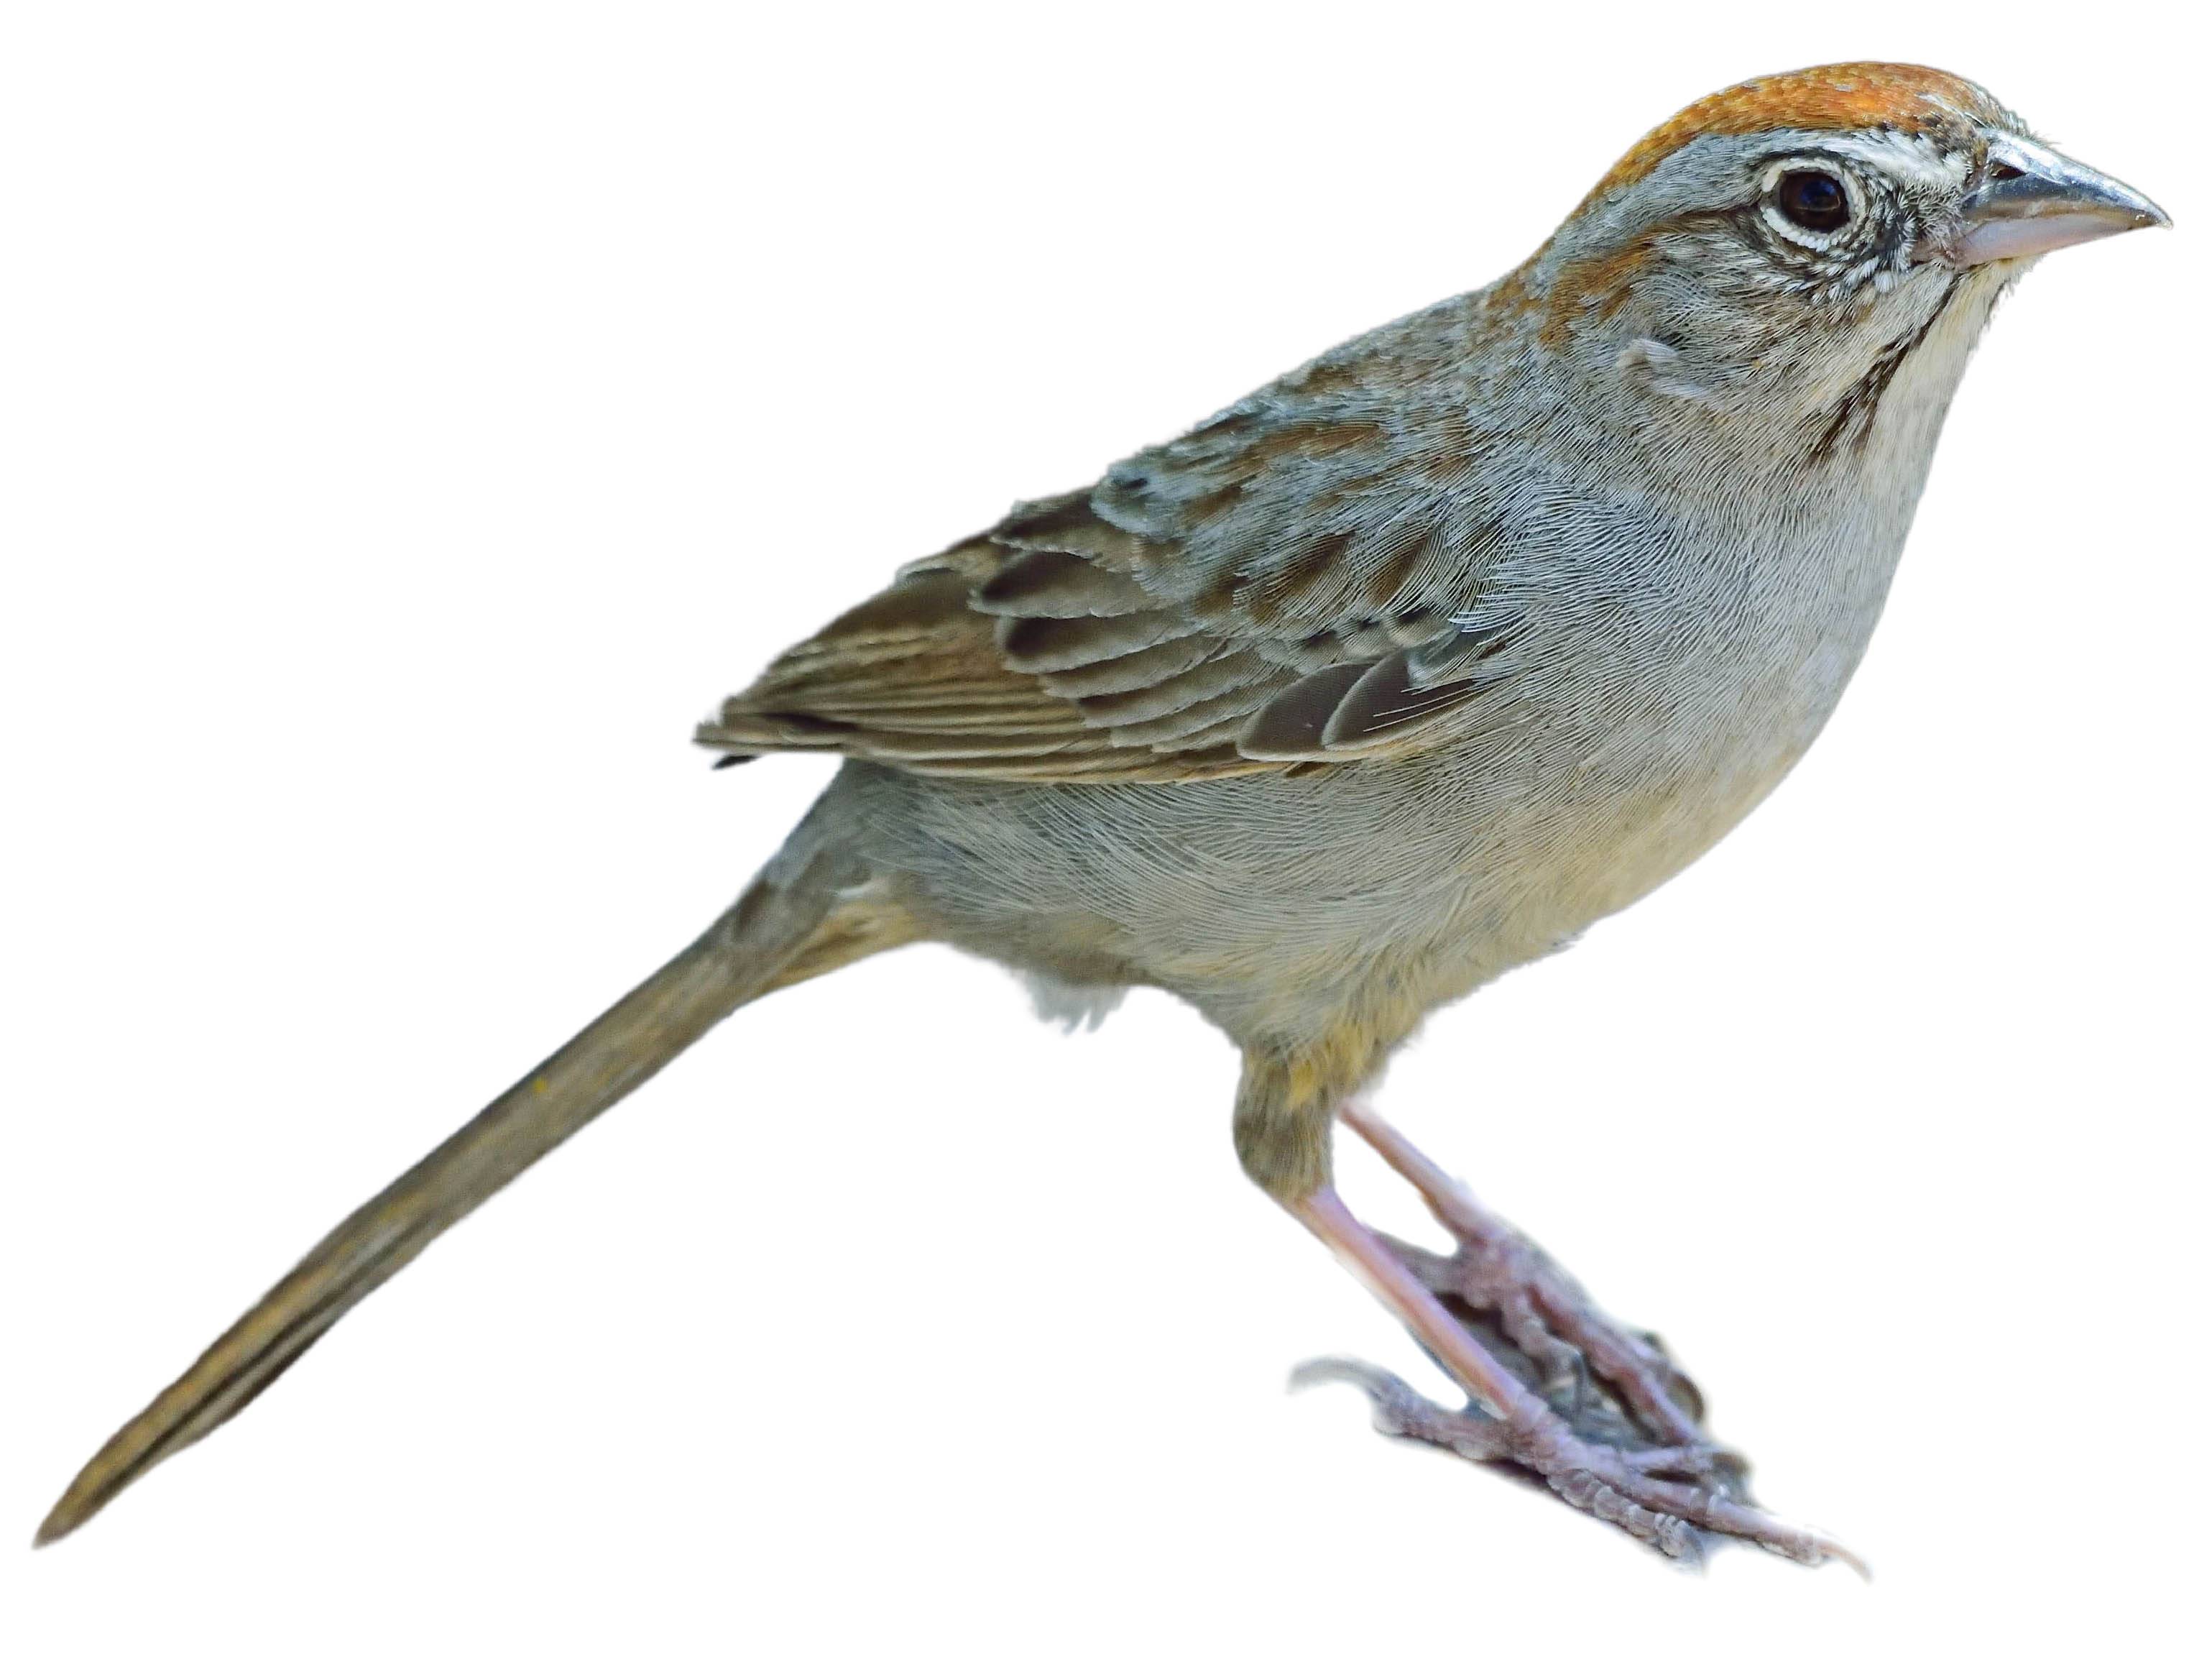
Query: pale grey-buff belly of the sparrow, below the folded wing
point(1277, 899)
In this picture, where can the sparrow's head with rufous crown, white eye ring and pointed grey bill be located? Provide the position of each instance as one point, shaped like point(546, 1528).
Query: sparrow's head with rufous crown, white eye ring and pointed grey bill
point(1802, 242)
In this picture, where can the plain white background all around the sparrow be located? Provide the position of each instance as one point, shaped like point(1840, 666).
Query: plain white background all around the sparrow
point(417, 415)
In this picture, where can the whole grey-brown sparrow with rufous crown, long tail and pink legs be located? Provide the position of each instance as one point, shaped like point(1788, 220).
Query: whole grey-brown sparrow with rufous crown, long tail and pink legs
point(1388, 678)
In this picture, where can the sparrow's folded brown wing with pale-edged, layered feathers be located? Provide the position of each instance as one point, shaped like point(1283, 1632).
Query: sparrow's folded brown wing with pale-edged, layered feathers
point(1295, 583)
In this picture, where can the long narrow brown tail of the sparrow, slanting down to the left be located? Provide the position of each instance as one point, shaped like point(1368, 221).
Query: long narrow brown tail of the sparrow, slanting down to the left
point(800, 919)
